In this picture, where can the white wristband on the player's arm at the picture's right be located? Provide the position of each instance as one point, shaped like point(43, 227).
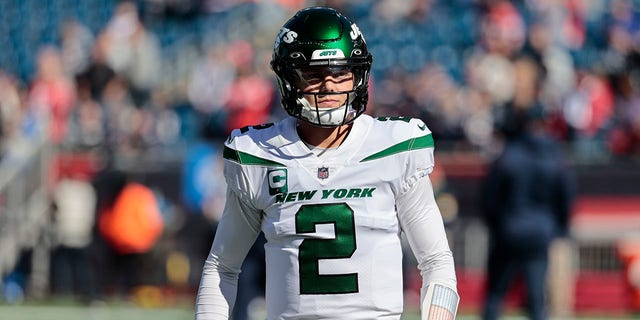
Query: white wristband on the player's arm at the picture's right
point(439, 302)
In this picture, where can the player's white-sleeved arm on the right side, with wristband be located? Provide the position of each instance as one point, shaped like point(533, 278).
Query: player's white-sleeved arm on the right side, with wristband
point(422, 223)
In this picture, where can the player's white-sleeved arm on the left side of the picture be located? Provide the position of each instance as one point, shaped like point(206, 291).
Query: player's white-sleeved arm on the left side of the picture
point(237, 230)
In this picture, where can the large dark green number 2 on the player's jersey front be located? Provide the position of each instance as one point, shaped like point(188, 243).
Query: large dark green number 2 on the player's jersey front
point(312, 250)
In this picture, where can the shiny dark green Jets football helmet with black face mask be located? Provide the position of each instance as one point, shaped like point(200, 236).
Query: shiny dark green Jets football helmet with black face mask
point(321, 37)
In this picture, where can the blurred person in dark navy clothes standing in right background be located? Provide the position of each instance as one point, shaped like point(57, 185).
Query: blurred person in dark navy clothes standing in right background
point(527, 196)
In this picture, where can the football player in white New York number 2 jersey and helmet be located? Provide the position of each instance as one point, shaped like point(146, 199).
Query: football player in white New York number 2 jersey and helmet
point(332, 189)
